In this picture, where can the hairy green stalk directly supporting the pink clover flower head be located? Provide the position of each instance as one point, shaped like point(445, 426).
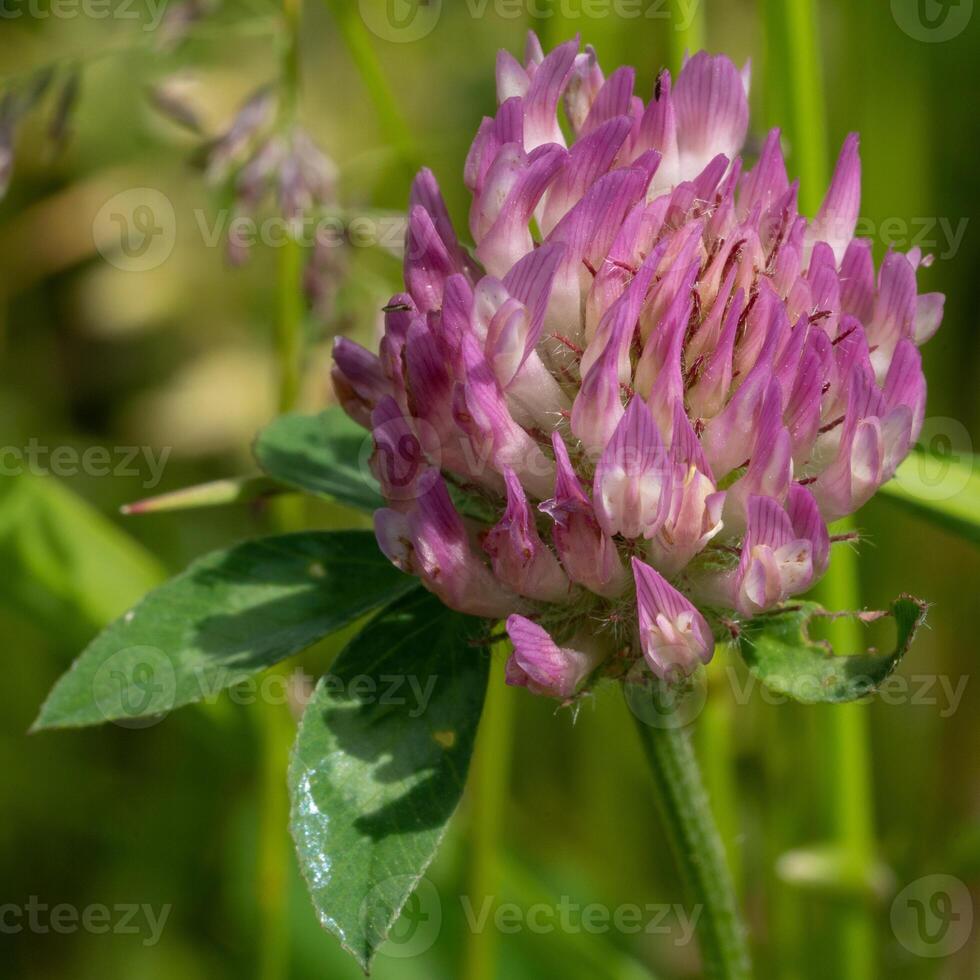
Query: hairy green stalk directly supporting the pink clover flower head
point(695, 841)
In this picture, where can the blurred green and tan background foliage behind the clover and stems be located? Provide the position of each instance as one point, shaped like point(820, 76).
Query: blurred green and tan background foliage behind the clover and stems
point(181, 356)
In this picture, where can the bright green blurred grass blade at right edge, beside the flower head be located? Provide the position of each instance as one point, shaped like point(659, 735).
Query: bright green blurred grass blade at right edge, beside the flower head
point(941, 489)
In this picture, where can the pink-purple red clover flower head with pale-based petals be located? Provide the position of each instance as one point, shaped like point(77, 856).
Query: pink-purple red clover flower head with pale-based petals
point(638, 403)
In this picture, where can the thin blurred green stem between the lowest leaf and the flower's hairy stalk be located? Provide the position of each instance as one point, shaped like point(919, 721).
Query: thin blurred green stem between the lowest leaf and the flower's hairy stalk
point(488, 795)
